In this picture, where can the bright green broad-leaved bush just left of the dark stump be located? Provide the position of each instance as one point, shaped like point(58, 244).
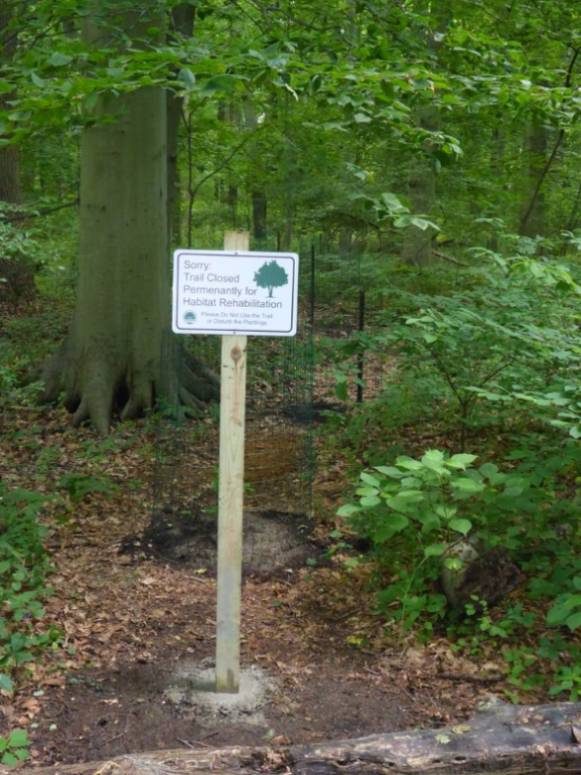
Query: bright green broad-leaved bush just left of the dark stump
point(414, 513)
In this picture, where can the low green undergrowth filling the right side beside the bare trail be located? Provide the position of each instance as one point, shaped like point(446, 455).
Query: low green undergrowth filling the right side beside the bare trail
point(468, 444)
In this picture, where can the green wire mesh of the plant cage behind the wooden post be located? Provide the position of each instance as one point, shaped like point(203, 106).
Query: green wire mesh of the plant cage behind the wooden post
point(279, 450)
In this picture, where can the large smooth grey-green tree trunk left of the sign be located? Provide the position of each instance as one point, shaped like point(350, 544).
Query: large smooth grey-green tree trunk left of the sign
point(112, 357)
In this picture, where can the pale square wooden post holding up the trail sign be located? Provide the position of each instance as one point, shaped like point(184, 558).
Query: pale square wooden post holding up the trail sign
point(230, 498)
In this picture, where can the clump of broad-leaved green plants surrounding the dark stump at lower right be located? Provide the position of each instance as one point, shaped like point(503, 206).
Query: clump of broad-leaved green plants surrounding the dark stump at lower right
point(418, 512)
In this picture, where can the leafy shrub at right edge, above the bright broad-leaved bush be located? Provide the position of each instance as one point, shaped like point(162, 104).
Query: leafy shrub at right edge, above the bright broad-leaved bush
point(504, 343)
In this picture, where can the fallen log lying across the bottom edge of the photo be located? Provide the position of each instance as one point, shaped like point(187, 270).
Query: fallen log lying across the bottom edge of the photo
point(519, 740)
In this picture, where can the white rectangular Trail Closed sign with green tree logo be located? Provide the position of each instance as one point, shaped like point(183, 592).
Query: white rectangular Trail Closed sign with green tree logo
point(235, 292)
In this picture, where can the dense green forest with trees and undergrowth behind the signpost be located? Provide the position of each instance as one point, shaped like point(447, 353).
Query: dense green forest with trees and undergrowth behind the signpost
point(429, 155)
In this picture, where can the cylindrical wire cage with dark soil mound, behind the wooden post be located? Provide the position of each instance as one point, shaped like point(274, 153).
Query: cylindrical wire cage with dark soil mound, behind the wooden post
point(279, 456)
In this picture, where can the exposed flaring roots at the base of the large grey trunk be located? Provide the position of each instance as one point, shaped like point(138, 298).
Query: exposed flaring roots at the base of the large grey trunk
point(95, 387)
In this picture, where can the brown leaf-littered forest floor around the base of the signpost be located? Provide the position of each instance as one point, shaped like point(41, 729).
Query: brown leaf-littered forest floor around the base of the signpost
point(128, 622)
